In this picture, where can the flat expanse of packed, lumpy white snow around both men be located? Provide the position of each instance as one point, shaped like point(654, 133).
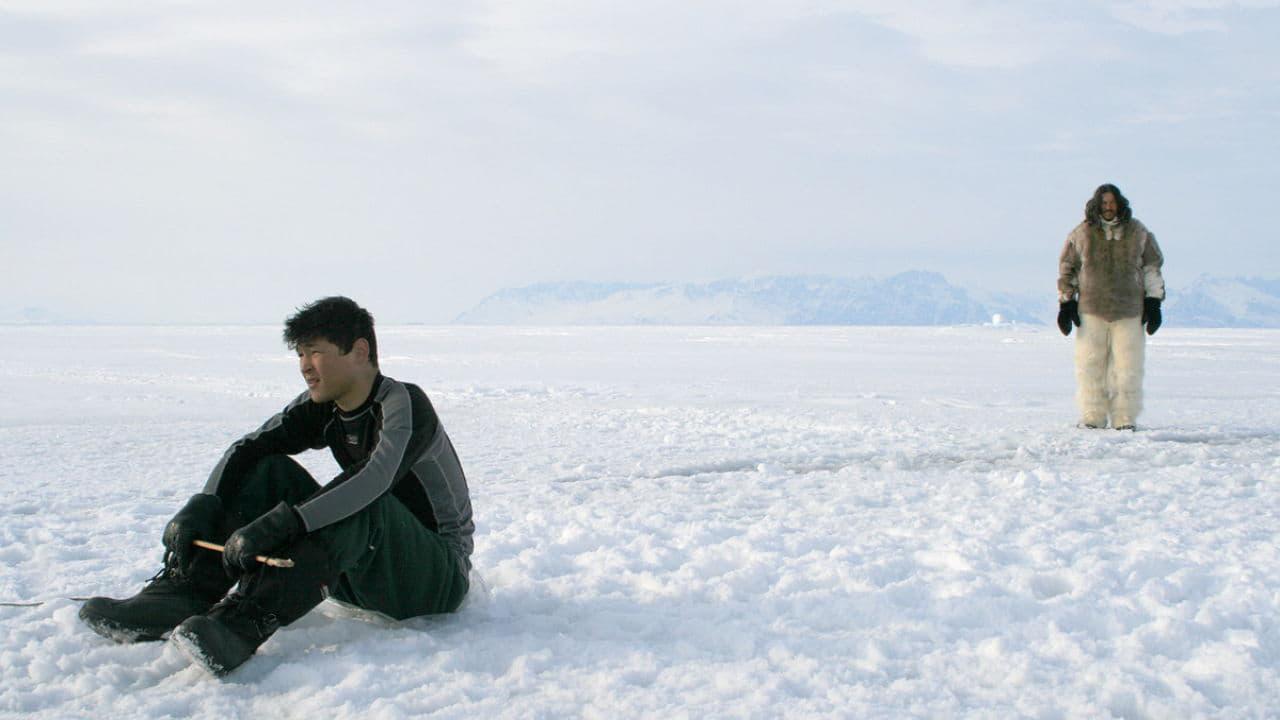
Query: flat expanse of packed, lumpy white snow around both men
point(691, 523)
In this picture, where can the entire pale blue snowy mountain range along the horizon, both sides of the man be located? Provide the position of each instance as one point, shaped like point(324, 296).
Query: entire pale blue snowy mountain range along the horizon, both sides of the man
point(908, 299)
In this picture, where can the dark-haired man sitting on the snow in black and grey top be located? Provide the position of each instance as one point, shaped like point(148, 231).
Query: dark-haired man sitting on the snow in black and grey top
point(391, 534)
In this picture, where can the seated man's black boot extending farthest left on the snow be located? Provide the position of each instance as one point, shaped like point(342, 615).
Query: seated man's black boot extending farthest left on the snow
point(168, 599)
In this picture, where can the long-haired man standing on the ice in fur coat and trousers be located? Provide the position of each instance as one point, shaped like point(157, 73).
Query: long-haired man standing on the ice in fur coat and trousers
point(1110, 286)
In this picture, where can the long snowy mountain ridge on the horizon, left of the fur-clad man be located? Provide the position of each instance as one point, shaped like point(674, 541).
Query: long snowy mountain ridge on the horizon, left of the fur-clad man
point(907, 299)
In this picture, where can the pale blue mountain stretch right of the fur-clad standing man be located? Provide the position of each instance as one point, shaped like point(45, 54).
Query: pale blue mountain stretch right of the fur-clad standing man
point(1237, 303)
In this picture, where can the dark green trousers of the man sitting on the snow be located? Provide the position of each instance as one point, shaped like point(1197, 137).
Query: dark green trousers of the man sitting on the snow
point(381, 559)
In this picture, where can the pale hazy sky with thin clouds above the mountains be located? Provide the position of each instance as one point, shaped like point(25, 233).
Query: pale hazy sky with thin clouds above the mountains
point(228, 162)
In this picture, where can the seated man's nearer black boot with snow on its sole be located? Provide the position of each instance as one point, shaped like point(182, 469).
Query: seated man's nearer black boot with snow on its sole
point(268, 599)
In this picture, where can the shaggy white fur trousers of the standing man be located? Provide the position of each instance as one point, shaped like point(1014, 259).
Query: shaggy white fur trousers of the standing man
point(1109, 364)
